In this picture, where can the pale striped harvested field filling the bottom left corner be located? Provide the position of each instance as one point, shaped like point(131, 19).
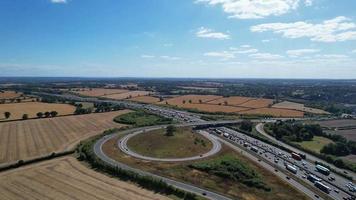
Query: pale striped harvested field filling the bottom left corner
point(66, 178)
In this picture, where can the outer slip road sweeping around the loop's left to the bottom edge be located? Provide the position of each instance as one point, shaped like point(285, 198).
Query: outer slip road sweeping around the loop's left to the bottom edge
point(187, 187)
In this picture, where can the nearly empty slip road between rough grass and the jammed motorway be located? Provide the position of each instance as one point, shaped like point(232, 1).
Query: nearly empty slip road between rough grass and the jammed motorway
point(270, 168)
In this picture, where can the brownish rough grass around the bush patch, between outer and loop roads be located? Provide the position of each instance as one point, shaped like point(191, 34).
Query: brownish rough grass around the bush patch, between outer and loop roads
point(232, 188)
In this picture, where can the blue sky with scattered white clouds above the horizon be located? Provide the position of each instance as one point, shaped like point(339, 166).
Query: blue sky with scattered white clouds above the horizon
point(179, 38)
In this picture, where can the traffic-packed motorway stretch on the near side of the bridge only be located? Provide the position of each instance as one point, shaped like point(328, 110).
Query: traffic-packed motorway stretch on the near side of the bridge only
point(337, 186)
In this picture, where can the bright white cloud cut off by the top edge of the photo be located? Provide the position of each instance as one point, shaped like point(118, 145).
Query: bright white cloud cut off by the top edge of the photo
point(253, 9)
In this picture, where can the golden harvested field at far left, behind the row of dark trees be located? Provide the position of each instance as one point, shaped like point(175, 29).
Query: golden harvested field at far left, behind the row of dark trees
point(32, 108)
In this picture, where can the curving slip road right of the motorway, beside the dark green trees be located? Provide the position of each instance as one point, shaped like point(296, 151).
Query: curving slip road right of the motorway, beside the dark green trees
point(310, 157)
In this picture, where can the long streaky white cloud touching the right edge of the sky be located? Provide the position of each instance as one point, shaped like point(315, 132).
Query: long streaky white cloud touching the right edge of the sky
point(334, 30)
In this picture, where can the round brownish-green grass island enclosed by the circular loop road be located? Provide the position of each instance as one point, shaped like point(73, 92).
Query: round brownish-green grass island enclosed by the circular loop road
point(157, 144)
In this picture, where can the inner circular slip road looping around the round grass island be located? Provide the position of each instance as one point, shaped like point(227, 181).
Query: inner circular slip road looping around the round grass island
point(122, 144)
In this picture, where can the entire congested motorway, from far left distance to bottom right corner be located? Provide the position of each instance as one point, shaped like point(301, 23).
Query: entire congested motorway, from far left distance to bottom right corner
point(302, 174)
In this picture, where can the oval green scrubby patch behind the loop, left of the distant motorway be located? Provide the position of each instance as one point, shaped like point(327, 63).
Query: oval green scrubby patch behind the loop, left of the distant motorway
point(141, 118)
